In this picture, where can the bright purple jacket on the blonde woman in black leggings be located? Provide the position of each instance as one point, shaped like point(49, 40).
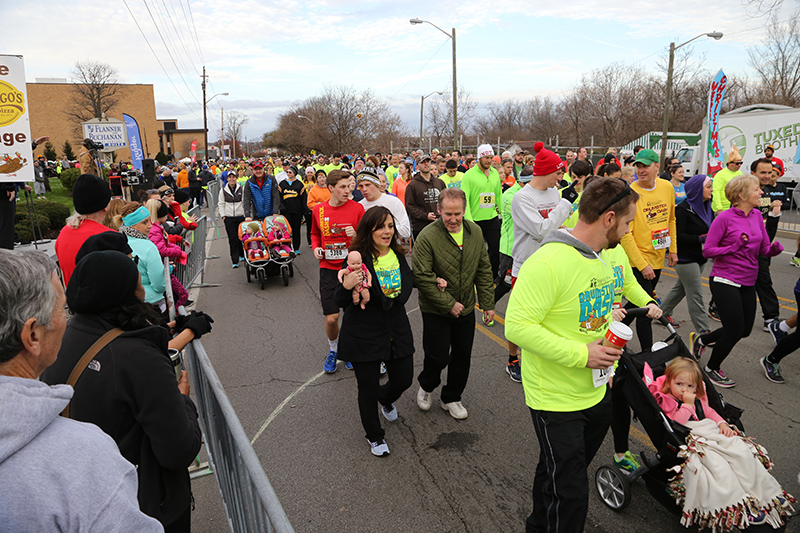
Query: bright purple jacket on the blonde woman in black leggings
point(735, 259)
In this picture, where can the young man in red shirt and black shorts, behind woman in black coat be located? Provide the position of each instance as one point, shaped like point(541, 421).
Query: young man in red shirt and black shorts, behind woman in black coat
point(333, 227)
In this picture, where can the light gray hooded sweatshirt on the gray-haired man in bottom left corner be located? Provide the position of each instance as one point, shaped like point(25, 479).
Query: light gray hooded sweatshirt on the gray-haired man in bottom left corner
point(58, 474)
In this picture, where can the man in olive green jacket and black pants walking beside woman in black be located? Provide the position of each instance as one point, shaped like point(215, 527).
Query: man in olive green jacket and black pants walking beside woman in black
point(452, 249)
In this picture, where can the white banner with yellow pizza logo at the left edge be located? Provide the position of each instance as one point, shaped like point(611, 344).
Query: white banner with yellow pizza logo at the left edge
point(16, 153)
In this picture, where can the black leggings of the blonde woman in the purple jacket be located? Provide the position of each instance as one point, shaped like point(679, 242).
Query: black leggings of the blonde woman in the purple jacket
point(737, 311)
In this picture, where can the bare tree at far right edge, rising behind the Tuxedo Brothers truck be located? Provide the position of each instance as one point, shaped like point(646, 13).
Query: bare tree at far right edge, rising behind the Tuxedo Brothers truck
point(777, 62)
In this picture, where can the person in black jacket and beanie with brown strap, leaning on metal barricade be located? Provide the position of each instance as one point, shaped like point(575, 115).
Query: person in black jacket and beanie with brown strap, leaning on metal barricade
point(129, 388)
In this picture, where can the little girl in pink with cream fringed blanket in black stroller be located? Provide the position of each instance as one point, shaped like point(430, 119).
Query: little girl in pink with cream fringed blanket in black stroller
point(724, 480)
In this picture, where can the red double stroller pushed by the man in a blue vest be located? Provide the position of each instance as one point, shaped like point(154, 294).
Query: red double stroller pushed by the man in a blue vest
point(266, 256)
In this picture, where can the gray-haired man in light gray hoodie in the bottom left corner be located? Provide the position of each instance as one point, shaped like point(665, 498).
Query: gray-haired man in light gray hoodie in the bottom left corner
point(57, 474)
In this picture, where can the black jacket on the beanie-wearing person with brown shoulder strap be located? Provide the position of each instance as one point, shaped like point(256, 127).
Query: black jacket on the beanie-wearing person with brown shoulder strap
point(129, 390)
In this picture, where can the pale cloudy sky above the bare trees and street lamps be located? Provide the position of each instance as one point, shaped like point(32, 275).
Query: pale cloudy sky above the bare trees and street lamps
point(268, 55)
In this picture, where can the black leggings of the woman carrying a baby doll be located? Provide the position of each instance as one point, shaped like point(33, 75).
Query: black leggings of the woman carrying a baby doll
point(371, 392)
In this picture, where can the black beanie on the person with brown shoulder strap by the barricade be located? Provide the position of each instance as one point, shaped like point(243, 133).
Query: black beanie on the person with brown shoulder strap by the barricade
point(102, 281)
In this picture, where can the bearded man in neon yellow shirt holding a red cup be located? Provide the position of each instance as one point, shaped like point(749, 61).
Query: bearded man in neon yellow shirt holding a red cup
point(558, 313)
